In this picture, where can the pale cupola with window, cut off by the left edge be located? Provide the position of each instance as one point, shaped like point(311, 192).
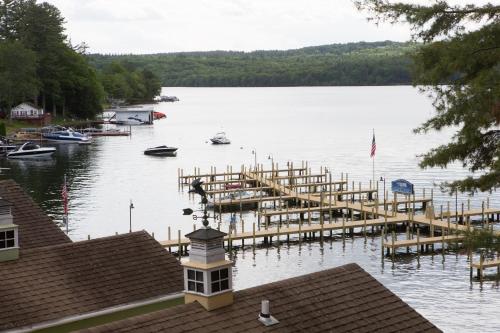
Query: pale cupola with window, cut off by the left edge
point(9, 233)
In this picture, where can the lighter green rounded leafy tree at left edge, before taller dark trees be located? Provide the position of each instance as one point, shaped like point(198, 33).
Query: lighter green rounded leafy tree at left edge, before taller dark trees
point(17, 74)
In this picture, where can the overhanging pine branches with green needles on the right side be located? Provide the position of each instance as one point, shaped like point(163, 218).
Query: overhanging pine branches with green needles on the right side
point(459, 65)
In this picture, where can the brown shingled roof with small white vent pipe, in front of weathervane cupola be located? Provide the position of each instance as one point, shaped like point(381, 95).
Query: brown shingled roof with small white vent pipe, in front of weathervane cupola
point(342, 299)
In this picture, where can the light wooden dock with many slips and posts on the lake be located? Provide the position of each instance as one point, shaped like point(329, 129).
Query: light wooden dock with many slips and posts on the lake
point(295, 202)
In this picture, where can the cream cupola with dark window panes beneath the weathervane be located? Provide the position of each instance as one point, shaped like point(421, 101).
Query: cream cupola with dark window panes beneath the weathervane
point(207, 274)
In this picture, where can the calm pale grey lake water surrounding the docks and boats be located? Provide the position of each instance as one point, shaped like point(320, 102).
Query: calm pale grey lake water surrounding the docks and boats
point(327, 126)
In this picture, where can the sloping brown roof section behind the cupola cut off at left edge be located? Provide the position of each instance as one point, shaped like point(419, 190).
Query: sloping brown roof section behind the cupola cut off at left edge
point(36, 229)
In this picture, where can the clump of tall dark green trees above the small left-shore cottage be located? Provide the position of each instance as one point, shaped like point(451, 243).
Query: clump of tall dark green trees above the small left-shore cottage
point(62, 79)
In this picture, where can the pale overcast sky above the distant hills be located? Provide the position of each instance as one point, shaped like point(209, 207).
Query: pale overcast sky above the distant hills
point(152, 26)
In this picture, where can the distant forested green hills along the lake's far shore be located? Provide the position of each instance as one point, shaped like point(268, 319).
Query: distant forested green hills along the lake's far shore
point(377, 63)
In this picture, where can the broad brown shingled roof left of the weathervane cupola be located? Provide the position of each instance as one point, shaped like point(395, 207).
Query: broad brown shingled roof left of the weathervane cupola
point(54, 282)
